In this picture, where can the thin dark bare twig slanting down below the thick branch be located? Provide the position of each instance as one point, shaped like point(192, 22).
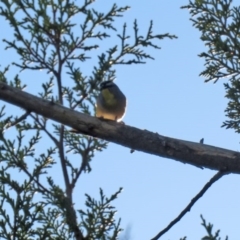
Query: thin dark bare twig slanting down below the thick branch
point(193, 201)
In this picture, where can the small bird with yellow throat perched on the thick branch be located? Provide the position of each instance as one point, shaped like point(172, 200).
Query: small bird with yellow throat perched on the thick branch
point(111, 102)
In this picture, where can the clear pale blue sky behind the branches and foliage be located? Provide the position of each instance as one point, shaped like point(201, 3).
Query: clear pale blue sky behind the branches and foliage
point(165, 96)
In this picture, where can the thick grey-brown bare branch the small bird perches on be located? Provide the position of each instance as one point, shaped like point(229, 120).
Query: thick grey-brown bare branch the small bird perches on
point(197, 154)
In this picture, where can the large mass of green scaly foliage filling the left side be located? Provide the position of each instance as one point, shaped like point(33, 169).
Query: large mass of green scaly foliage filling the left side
point(57, 37)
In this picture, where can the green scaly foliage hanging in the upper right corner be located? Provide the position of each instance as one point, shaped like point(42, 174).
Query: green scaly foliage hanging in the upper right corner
point(219, 24)
